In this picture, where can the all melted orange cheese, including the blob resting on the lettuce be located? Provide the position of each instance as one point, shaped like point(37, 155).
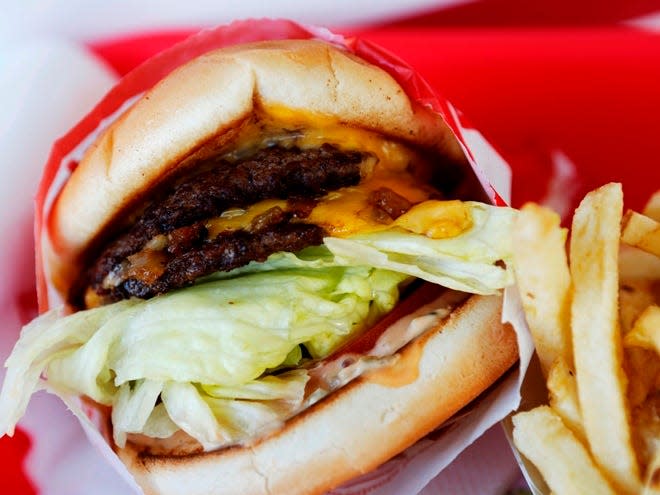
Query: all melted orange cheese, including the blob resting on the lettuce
point(347, 211)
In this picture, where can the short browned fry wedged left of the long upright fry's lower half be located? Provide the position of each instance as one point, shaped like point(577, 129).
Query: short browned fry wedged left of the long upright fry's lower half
point(563, 398)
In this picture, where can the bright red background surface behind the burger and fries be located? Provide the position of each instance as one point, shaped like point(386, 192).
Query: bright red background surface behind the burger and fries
point(590, 92)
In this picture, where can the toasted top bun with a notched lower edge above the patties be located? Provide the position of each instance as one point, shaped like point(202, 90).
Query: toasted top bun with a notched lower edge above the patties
point(202, 102)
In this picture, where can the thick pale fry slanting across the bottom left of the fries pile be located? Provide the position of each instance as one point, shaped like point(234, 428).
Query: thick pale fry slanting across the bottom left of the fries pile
point(541, 436)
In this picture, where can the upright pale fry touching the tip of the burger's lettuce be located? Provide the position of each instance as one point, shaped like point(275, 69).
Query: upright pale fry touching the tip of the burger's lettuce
point(541, 268)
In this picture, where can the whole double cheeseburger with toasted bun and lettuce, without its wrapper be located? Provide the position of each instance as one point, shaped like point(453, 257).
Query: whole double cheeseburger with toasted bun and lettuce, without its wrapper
point(277, 272)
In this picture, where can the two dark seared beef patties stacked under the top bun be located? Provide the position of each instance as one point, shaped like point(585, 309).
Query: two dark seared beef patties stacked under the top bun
point(169, 245)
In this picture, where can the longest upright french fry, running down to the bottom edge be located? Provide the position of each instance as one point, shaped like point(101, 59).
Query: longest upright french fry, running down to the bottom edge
point(597, 345)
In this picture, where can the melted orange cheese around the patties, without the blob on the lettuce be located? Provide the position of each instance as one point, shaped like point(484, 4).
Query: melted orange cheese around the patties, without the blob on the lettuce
point(343, 212)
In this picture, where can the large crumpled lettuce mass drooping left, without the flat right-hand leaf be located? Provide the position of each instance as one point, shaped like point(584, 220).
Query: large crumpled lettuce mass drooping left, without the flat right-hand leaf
point(204, 351)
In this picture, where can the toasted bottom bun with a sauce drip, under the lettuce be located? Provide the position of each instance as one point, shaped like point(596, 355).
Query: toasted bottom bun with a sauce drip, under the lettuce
point(357, 428)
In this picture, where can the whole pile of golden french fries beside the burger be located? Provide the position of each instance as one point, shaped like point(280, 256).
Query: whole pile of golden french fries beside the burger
point(601, 430)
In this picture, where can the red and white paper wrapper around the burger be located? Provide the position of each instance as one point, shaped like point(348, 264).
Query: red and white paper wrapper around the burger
point(410, 471)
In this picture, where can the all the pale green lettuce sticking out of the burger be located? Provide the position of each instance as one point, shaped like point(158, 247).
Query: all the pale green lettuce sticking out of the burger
point(212, 359)
